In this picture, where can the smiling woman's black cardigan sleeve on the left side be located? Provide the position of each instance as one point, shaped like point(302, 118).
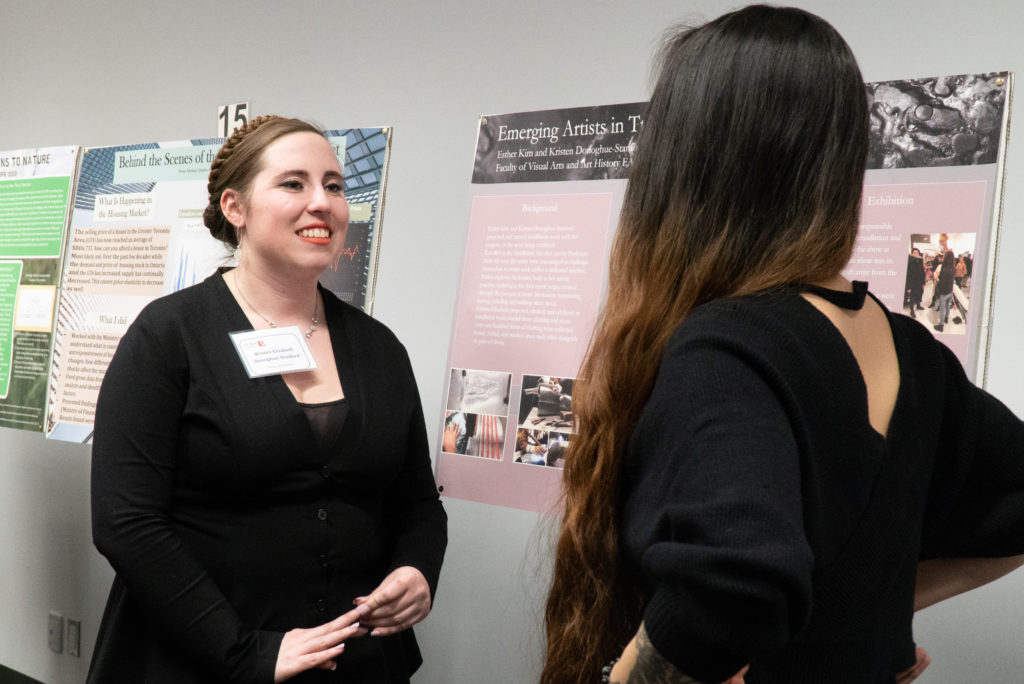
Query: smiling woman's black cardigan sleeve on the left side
point(139, 413)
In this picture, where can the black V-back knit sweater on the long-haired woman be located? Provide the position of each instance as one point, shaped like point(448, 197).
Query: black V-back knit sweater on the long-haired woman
point(770, 524)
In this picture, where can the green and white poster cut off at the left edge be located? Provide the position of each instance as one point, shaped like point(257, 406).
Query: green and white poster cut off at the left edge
point(36, 188)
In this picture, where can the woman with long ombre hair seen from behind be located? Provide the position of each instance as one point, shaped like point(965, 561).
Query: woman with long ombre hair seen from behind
point(758, 471)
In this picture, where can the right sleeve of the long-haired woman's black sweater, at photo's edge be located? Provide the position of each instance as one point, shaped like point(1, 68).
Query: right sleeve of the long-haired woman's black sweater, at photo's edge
point(976, 498)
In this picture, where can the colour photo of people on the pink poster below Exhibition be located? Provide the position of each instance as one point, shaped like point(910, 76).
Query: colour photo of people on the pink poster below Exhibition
point(938, 280)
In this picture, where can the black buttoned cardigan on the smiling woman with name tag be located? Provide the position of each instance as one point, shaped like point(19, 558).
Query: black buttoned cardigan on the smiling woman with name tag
point(225, 520)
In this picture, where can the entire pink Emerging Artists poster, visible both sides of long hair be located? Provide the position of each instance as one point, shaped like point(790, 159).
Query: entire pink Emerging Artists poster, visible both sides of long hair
point(546, 193)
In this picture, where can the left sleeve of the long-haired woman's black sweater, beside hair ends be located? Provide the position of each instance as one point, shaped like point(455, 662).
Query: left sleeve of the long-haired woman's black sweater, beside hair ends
point(732, 566)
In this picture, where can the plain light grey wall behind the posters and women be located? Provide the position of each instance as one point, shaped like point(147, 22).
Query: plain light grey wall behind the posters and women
point(108, 73)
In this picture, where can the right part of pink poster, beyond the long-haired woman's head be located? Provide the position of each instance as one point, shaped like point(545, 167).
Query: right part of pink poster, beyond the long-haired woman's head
point(932, 196)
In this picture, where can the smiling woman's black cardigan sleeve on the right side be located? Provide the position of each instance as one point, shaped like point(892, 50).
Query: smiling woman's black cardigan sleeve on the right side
point(414, 506)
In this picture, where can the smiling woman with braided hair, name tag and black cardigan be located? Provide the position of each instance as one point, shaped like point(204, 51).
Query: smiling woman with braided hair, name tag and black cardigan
point(265, 528)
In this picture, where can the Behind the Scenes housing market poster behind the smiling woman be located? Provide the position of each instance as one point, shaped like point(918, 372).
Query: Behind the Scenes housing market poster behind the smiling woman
point(137, 234)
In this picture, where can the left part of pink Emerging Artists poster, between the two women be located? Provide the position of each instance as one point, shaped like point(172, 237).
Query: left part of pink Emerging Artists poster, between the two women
point(547, 189)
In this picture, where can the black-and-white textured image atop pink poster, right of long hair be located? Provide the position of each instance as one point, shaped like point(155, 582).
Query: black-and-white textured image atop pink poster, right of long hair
point(942, 121)
